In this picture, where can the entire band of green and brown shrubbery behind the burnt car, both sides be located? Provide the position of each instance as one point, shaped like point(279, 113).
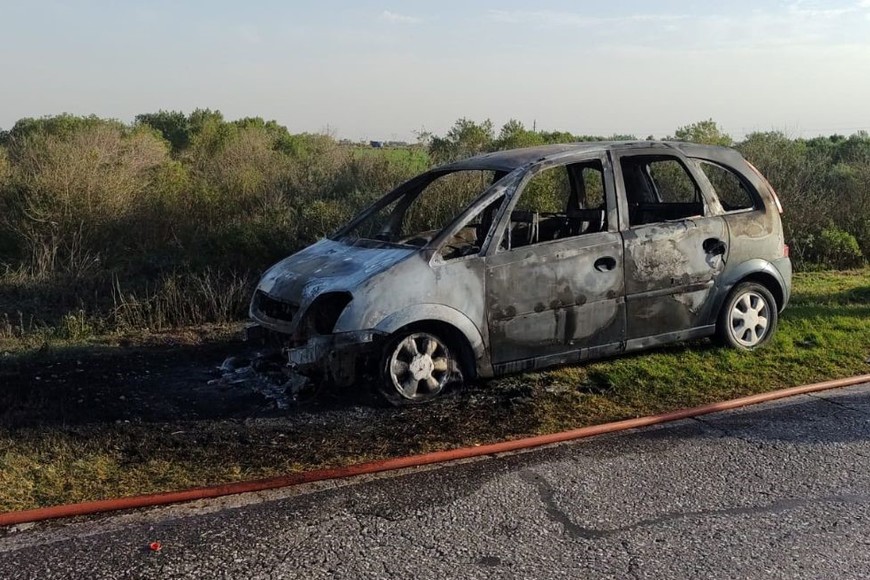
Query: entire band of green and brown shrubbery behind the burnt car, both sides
point(168, 220)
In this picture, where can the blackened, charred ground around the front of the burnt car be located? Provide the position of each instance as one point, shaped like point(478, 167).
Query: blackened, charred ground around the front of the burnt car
point(168, 383)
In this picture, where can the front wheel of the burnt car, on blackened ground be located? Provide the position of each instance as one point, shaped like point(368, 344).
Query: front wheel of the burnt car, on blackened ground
point(416, 367)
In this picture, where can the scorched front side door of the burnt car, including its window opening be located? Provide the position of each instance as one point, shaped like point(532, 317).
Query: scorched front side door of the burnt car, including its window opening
point(554, 274)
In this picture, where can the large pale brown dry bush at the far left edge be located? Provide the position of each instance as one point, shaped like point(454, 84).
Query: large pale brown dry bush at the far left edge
point(70, 191)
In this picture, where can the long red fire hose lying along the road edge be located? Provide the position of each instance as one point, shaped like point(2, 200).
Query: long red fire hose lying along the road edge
point(140, 501)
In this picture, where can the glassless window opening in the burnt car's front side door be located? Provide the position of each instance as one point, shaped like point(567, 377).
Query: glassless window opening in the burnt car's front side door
point(556, 203)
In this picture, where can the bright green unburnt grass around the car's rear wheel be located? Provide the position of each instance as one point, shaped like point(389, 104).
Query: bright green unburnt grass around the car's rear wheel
point(823, 334)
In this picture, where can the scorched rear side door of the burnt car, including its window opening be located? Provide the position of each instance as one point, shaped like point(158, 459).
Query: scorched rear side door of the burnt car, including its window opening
point(674, 247)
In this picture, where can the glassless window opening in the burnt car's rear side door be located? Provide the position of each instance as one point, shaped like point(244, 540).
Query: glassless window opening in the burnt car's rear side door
point(659, 188)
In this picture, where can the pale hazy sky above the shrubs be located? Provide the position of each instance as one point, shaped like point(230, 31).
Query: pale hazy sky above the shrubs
point(369, 69)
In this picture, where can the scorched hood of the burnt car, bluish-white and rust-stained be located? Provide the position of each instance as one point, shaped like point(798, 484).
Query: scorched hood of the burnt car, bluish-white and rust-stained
point(328, 265)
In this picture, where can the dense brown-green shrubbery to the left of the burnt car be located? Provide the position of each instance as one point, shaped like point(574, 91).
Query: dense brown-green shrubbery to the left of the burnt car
point(167, 221)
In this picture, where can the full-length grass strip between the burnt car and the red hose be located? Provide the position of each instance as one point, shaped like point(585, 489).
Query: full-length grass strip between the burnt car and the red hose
point(824, 334)
